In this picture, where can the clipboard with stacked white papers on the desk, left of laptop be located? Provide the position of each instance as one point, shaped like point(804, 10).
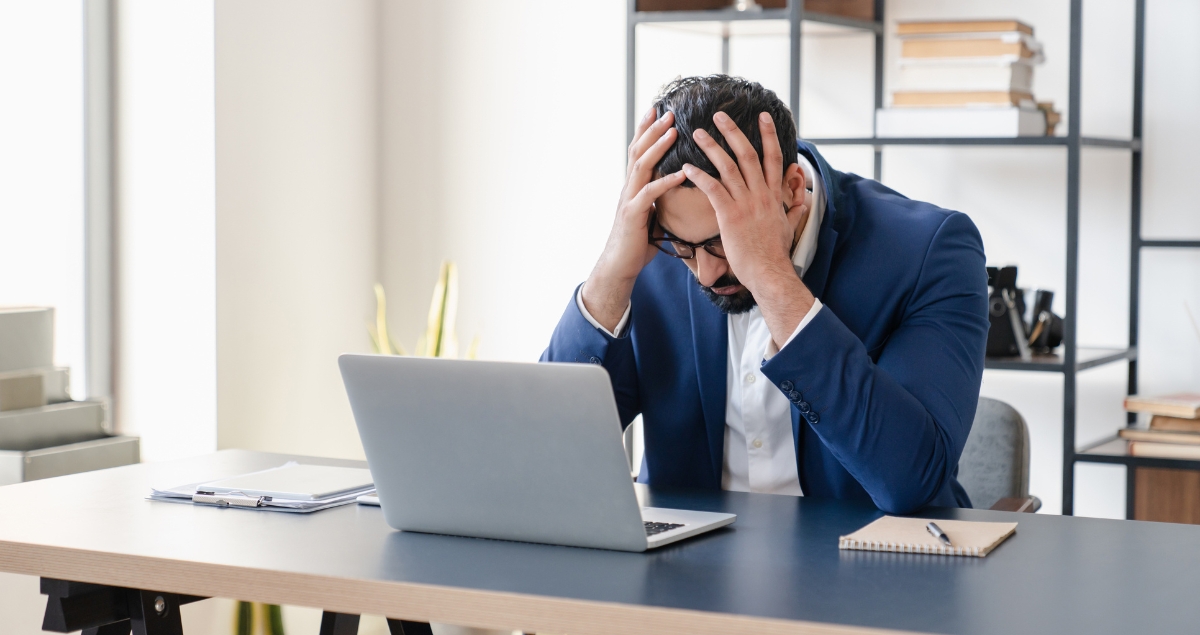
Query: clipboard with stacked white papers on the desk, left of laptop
point(290, 488)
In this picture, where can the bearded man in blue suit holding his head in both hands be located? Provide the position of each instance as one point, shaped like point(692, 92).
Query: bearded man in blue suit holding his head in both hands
point(782, 327)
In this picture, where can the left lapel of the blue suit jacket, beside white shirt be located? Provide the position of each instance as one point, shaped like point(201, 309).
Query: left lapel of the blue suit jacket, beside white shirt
point(710, 336)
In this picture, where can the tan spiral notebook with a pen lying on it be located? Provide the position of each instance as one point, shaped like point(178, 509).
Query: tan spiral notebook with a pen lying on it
point(909, 536)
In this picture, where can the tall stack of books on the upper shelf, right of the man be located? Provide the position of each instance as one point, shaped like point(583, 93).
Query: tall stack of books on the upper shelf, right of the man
point(967, 80)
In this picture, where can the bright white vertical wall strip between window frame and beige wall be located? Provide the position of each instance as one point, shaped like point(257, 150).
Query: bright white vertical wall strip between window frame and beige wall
point(166, 380)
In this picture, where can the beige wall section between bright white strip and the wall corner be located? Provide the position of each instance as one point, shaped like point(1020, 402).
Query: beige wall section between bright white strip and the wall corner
point(297, 94)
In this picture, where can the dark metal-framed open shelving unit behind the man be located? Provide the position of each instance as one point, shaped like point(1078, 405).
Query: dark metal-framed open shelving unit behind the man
point(1073, 360)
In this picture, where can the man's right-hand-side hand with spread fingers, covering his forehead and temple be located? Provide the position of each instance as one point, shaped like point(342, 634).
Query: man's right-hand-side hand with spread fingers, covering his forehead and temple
point(758, 227)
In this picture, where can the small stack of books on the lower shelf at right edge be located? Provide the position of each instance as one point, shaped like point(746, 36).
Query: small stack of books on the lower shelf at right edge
point(1174, 429)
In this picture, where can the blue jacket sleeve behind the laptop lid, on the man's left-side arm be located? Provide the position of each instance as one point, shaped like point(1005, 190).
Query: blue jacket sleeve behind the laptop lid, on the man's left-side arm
point(575, 340)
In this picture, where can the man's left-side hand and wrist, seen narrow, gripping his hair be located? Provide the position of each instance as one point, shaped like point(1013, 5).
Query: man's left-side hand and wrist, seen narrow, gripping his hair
point(608, 291)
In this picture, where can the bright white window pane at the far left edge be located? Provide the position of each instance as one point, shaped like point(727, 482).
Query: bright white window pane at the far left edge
point(41, 170)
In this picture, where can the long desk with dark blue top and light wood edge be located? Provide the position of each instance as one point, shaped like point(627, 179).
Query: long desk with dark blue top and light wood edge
point(776, 571)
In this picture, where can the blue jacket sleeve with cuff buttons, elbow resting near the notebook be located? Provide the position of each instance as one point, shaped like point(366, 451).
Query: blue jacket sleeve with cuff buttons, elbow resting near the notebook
point(898, 426)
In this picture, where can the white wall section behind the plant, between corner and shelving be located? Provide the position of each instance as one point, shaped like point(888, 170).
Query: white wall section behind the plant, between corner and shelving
point(503, 152)
